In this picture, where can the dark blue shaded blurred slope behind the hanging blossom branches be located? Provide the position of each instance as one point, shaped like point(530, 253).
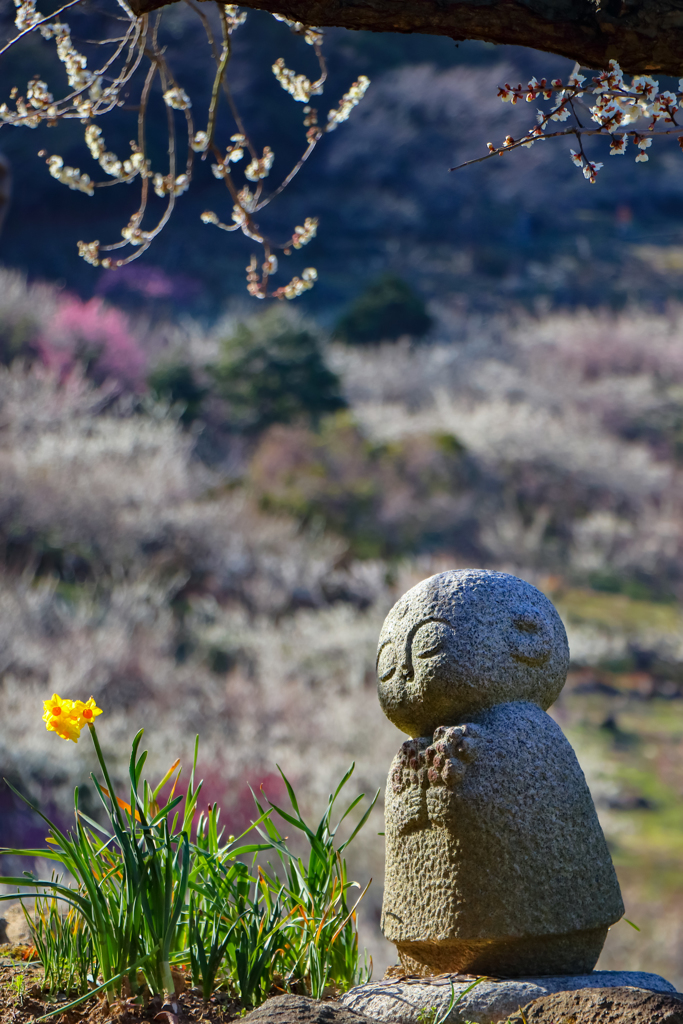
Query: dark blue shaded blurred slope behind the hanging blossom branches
point(527, 230)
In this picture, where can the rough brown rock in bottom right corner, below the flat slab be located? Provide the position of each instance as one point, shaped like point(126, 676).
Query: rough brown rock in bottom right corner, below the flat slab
point(604, 1006)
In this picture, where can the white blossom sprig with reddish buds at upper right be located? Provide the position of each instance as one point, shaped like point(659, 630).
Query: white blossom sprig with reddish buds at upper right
point(616, 106)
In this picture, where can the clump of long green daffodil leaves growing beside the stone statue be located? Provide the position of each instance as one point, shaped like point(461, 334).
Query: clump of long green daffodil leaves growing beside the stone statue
point(158, 888)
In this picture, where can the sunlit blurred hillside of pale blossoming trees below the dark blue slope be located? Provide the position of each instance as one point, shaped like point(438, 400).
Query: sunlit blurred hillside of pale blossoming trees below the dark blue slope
point(204, 557)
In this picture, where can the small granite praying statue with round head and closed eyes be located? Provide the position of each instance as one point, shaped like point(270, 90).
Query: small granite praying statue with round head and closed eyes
point(496, 863)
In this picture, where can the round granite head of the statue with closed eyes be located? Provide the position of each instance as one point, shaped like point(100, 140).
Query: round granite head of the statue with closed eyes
point(466, 641)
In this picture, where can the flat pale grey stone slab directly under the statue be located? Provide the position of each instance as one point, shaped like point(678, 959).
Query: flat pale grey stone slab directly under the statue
point(488, 1002)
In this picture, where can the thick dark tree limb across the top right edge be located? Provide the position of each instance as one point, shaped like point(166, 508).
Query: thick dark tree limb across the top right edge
point(643, 35)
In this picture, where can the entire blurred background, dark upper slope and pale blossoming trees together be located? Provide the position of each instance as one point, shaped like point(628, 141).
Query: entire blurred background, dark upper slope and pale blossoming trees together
point(207, 508)
